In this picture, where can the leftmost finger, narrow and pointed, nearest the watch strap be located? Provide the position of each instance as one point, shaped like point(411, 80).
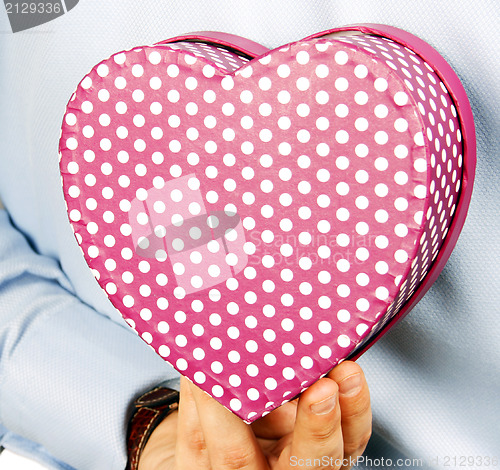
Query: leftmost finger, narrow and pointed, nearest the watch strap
point(191, 448)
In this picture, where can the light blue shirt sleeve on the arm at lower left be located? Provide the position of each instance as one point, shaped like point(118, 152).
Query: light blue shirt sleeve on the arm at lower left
point(68, 374)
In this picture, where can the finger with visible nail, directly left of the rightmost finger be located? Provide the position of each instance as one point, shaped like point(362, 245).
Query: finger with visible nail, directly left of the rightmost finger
point(318, 434)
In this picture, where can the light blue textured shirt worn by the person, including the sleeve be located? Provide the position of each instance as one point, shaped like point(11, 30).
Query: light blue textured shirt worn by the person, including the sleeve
point(69, 365)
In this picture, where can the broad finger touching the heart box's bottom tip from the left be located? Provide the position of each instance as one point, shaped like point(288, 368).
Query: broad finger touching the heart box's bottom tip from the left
point(231, 443)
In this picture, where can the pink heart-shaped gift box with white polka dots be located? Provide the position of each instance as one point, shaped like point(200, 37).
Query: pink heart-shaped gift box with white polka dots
point(259, 216)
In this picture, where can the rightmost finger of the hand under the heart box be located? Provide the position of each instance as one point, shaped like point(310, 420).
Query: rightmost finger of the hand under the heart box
point(356, 415)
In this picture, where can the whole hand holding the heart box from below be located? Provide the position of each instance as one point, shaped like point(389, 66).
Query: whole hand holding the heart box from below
point(329, 422)
